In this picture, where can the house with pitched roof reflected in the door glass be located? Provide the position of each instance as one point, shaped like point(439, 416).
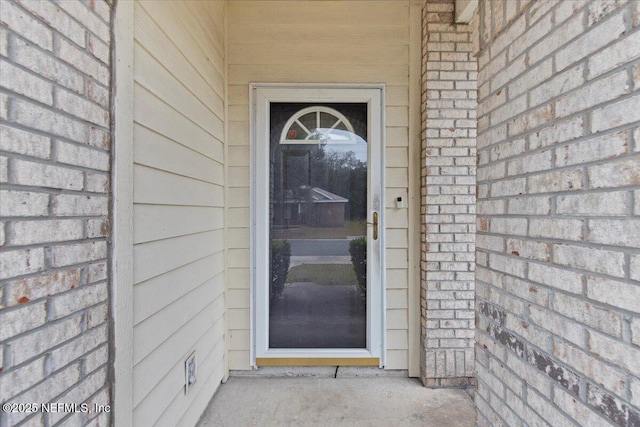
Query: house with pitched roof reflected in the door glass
point(313, 206)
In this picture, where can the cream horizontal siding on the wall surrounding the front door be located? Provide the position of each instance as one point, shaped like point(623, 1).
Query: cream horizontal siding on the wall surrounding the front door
point(332, 42)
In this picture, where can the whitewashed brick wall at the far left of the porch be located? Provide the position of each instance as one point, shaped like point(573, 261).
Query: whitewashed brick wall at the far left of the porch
point(54, 205)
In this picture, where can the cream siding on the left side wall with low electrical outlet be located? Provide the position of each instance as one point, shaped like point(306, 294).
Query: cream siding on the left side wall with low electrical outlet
point(178, 212)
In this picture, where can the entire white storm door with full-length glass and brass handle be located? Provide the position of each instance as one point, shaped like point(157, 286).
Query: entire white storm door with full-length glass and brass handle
point(317, 235)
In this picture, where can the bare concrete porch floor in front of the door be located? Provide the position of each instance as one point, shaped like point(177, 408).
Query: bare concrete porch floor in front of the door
point(311, 401)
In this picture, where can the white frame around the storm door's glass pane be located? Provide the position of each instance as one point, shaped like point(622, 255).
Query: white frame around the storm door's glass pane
point(261, 95)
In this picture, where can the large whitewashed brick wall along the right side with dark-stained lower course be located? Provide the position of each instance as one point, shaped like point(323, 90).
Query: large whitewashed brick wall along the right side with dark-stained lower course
point(558, 260)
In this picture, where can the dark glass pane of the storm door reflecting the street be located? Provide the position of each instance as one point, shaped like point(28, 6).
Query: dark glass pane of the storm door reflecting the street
point(318, 172)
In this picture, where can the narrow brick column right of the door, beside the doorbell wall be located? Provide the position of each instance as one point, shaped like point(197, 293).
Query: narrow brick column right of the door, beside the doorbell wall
point(448, 199)
